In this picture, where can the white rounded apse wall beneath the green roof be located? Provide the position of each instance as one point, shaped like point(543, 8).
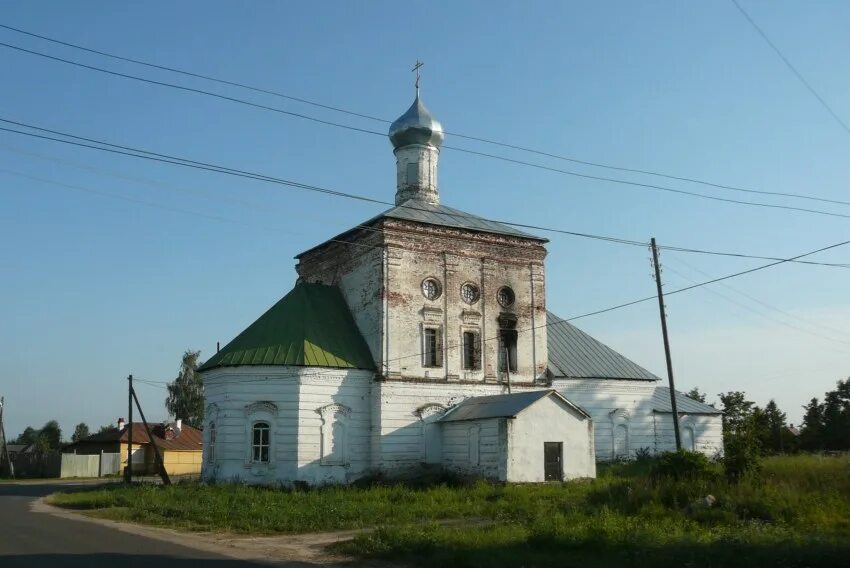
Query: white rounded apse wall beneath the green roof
point(289, 398)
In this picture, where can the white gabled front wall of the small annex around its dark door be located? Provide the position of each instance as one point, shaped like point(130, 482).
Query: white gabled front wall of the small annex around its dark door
point(549, 420)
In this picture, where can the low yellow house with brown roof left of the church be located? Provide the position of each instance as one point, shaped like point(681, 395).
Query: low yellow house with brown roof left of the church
point(181, 446)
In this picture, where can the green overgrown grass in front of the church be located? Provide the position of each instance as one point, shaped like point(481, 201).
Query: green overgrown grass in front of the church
point(796, 514)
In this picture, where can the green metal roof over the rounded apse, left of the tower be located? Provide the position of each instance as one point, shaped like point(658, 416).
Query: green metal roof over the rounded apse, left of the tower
point(311, 327)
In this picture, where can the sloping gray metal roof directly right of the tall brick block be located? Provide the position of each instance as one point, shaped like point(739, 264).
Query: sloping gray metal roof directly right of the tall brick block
point(576, 355)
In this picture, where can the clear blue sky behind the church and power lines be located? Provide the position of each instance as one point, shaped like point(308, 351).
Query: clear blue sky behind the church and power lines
point(128, 263)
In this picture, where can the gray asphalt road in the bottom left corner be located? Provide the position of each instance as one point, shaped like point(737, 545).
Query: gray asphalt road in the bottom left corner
point(34, 540)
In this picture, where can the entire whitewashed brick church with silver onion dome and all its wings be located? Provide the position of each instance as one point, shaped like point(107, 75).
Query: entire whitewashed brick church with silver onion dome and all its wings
point(421, 337)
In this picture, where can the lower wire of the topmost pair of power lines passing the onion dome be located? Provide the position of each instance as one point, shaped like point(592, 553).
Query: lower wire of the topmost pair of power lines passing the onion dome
point(645, 186)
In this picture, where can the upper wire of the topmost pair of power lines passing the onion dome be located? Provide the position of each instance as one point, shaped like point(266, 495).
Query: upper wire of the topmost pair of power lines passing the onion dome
point(456, 134)
